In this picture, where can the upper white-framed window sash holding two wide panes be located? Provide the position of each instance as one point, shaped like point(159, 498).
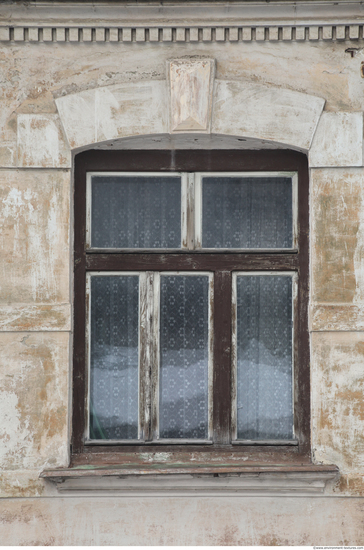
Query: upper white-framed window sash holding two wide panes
point(196, 192)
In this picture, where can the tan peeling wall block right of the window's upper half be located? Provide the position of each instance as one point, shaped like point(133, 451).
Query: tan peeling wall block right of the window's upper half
point(336, 209)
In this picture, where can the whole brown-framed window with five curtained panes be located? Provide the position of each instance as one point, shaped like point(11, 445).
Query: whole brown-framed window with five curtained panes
point(191, 285)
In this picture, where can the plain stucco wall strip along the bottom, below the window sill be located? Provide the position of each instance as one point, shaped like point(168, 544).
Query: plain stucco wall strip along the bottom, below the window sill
point(198, 521)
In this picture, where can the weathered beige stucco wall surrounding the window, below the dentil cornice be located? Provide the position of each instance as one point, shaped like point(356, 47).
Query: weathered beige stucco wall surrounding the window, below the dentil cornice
point(57, 96)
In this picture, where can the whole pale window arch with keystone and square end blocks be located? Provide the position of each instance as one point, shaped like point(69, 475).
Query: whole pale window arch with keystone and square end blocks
point(201, 112)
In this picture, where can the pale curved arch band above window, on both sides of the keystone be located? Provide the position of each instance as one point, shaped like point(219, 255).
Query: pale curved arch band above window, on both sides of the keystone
point(238, 108)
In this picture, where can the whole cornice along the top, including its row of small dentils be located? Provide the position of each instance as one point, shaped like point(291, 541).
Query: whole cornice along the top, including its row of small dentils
point(181, 22)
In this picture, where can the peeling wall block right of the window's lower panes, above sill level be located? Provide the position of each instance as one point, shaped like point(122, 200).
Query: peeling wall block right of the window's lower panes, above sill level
point(338, 410)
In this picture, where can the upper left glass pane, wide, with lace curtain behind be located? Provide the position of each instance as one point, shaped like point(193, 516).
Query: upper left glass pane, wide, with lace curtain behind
point(136, 212)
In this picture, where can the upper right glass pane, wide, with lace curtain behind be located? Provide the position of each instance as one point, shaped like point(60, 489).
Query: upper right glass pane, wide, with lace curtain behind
point(246, 212)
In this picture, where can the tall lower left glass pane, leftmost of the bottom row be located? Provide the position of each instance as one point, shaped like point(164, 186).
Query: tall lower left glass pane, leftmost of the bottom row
point(114, 357)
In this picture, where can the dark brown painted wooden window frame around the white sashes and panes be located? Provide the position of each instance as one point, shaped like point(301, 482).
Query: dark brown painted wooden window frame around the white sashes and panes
point(222, 264)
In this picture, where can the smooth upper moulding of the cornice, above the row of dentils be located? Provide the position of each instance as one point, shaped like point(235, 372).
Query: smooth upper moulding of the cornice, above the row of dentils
point(207, 12)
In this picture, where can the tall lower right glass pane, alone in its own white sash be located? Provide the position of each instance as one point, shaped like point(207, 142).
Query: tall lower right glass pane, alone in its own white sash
point(264, 357)
